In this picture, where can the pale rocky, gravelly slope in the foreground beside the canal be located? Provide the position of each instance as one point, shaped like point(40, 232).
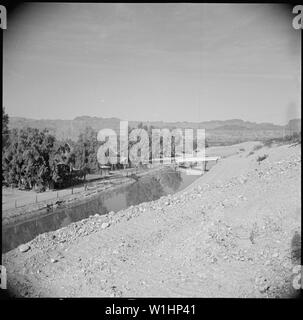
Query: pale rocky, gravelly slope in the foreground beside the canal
point(235, 232)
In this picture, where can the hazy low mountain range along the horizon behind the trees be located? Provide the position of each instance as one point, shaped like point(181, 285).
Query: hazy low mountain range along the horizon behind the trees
point(217, 131)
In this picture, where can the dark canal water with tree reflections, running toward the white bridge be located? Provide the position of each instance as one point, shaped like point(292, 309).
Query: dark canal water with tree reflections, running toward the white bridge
point(148, 188)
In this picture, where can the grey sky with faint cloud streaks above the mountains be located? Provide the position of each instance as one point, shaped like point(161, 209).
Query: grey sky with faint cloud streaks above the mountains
point(170, 62)
